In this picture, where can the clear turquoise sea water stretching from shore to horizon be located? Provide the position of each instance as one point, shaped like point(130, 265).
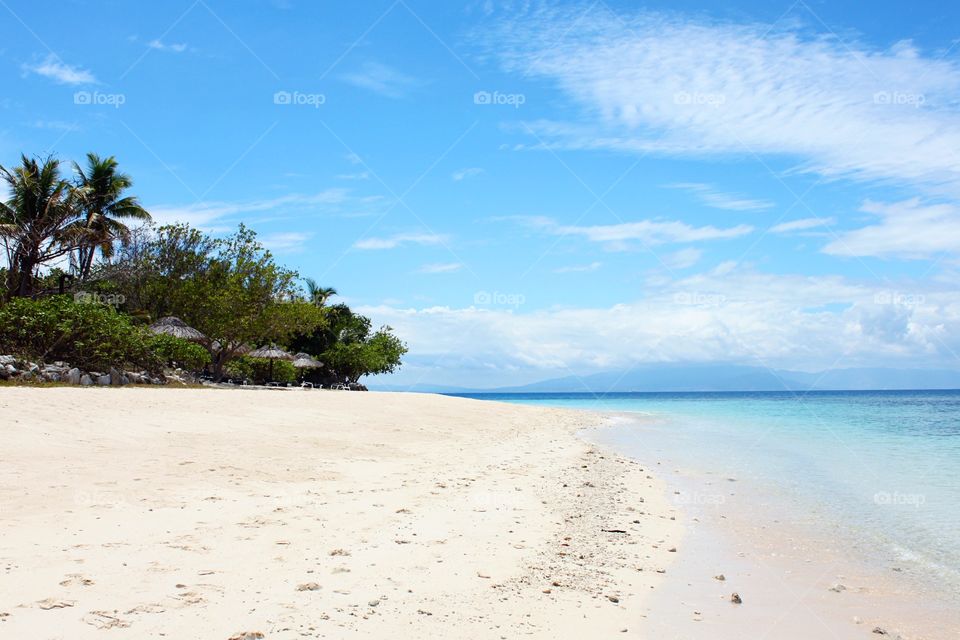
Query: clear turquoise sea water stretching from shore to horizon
point(879, 471)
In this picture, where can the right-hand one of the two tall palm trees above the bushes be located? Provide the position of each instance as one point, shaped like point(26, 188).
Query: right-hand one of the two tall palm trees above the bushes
point(104, 205)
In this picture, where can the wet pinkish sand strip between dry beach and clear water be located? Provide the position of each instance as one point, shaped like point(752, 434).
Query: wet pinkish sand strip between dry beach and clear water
point(800, 582)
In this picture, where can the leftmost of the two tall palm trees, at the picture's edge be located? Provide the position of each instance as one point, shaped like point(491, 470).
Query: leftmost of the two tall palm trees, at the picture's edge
point(38, 222)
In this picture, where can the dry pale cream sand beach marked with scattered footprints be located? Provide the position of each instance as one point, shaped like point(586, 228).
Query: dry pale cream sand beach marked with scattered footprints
point(204, 513)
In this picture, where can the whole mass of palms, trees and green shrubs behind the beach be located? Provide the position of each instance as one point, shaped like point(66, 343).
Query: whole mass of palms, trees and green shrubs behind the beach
point(95, 314)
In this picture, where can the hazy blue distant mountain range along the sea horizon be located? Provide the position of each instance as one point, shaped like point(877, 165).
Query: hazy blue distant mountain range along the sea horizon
point(720, 377)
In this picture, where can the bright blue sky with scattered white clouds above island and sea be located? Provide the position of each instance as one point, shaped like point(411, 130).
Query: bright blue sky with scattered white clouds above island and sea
point(526, 190)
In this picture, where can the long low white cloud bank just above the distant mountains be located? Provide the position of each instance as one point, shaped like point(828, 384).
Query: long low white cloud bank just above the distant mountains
point(726, 315)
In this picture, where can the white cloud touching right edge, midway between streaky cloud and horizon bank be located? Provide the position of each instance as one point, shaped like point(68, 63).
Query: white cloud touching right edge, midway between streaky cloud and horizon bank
point(908, 229)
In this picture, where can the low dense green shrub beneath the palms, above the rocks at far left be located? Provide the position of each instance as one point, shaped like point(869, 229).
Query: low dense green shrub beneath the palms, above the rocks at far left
point(87, 335)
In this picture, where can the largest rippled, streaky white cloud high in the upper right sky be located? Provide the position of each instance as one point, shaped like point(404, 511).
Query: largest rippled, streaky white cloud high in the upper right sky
point(666, 83)
